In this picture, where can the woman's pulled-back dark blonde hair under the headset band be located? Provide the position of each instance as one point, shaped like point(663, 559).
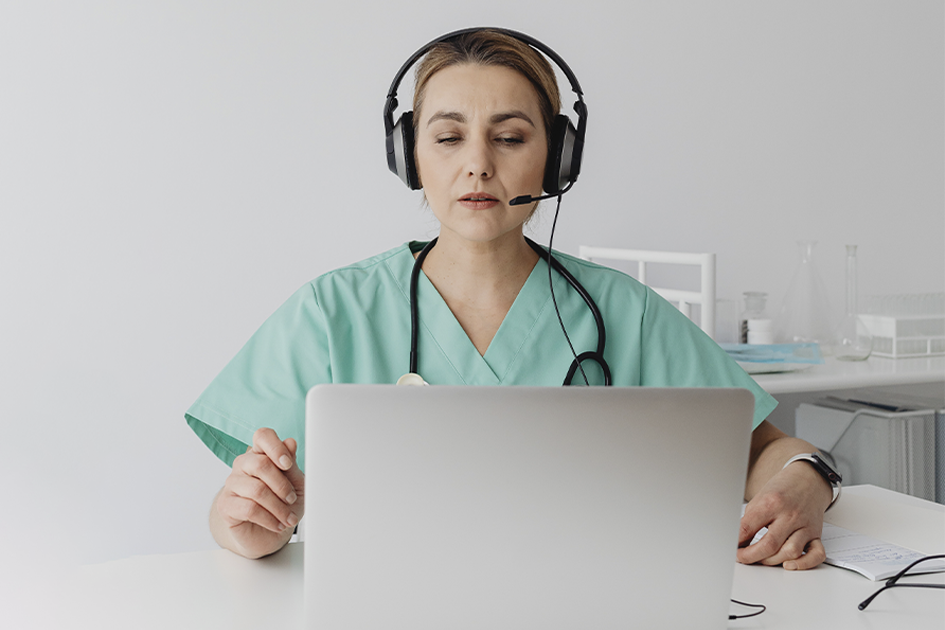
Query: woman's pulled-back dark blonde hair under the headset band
point(492, 48)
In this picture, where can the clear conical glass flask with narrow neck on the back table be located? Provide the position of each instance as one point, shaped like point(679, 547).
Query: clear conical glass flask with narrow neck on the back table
point(805, 314)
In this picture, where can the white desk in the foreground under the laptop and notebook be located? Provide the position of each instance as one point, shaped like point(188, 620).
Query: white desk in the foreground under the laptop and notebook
point(216, 589)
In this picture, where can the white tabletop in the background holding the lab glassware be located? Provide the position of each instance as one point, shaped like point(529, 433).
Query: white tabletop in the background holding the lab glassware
point(874, 372)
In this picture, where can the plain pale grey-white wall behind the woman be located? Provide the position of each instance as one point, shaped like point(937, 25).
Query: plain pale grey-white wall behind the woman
point(171, 171)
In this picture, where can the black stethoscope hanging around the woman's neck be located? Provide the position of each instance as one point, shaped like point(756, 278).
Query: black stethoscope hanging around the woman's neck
point(590, 355)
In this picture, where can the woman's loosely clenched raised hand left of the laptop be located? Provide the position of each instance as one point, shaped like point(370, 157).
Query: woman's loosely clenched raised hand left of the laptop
point(262, 500)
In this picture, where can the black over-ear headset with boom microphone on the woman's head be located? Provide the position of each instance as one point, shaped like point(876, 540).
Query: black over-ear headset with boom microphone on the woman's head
point(566, 144)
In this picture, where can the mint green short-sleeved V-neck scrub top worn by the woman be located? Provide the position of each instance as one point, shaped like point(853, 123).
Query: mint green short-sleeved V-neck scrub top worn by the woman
point(352, 325)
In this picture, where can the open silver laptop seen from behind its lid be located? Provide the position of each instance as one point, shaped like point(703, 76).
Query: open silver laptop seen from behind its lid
point(432, 508)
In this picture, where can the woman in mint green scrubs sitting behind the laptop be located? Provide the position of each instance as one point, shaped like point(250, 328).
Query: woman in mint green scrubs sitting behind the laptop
point(485, 105)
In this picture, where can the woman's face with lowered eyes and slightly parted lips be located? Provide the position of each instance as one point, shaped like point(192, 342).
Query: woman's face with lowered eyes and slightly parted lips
point(480, 142)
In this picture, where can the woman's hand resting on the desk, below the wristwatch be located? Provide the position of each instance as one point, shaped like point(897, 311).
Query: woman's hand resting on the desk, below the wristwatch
point(791, 505)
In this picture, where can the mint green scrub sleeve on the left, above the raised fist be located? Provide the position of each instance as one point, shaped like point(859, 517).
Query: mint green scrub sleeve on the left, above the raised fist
point(266, 382)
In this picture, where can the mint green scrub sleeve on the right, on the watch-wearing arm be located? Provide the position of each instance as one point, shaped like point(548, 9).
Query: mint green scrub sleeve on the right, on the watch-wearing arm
point(677, 353)
